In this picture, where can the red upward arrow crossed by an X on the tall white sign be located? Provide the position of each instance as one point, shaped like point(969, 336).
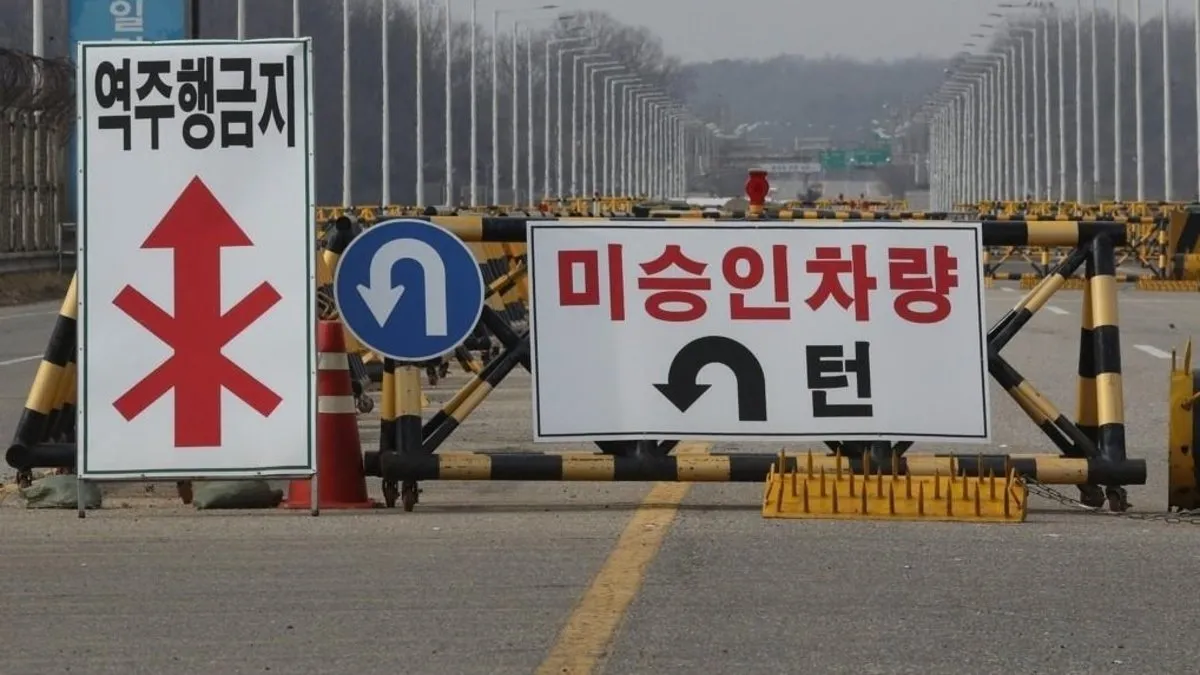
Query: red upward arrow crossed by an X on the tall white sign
point(196, 229)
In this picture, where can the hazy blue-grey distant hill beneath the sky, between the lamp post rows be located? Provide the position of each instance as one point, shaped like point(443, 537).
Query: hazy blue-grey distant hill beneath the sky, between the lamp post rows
point(835, 98)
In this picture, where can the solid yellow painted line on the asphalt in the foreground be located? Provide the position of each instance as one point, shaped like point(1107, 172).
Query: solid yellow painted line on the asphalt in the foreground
point(593, 625)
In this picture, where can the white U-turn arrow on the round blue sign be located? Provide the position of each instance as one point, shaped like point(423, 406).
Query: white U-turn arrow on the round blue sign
point(381, 298)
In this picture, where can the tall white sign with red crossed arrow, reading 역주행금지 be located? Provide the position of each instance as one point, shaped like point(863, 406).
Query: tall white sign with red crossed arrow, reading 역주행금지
point(197, 304)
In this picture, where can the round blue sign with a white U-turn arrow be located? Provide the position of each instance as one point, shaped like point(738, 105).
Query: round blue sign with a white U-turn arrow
point(409, 290)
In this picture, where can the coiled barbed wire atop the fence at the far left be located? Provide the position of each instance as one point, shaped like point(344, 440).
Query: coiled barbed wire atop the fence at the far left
point(32, 83)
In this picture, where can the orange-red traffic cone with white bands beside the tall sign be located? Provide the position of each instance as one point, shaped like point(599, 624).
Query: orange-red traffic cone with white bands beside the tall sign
point(341, 480)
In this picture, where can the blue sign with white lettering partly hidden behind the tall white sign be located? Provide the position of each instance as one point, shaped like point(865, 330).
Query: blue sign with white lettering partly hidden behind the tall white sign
point(117, 21)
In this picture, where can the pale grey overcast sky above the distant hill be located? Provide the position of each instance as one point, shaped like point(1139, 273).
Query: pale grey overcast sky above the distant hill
point(868, 29)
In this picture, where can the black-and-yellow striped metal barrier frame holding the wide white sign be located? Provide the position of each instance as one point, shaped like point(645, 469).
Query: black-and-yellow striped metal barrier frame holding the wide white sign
point(1093, 450)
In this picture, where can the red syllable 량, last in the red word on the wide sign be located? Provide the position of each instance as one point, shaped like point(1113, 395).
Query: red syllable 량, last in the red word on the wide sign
point(922, 282)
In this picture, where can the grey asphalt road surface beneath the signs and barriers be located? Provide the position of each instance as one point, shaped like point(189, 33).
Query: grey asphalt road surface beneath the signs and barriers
point(586, 578)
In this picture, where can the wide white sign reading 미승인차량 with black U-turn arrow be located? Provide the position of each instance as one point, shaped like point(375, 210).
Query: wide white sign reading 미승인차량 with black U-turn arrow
point(815, 331)
